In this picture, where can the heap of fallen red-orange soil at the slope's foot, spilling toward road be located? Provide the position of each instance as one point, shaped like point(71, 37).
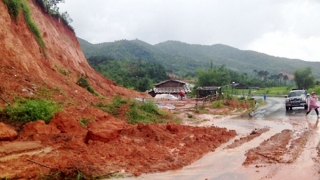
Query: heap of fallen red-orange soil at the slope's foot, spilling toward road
point(107, 147)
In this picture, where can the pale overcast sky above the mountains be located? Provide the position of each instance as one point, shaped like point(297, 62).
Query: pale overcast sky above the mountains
point(283, 28)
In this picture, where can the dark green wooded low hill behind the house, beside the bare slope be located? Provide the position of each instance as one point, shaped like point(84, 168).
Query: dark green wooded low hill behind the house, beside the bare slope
point(139, 75)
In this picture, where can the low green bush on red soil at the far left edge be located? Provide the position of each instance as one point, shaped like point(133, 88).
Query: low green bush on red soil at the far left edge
point(26, 110)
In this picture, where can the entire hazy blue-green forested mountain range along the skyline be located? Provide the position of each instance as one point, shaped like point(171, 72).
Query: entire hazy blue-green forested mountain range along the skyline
point(184, 59)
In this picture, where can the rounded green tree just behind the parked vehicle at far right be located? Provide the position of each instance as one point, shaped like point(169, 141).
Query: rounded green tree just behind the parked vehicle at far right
point(304, 78)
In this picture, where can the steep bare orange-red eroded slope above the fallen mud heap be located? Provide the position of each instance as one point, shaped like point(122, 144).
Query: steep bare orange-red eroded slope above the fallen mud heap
point(23, 65)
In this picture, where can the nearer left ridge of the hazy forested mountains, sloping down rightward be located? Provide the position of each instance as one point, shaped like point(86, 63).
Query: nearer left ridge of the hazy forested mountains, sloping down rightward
point(138, 50)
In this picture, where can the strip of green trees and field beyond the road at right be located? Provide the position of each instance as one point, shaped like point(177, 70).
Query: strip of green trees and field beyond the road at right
point(264, 84)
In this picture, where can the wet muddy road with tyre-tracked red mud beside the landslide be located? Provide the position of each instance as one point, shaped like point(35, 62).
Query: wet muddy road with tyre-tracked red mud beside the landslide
point(274, 144)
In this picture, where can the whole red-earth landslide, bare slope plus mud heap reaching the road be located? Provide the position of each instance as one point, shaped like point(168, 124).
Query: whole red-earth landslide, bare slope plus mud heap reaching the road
point(64, 148)
